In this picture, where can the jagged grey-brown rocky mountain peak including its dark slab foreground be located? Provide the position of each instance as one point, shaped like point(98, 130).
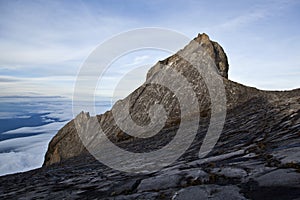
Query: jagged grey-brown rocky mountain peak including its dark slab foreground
point(256, 155)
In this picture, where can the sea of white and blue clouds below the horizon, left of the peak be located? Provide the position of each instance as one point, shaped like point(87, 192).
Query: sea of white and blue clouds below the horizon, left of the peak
point(27, 152)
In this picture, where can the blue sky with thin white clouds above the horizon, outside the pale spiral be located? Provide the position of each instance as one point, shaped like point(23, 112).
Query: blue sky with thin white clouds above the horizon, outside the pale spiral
point(44, 43)
